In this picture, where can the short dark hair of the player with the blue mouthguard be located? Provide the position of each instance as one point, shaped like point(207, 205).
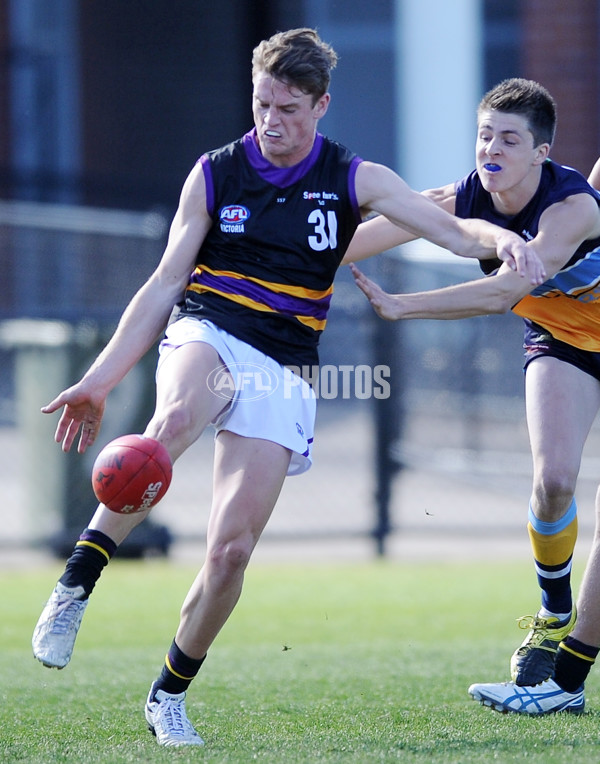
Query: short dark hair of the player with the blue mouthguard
point(527, 98)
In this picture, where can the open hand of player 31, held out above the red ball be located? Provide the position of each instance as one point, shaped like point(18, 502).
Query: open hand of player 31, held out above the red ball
point(81, 409)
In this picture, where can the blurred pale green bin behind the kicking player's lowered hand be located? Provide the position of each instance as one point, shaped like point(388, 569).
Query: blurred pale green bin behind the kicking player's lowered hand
point(49, 356)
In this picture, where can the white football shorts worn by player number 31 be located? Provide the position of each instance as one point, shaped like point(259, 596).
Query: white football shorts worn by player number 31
point(268, 401)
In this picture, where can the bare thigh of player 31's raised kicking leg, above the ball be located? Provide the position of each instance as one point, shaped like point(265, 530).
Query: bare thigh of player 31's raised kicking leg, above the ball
point(185, 403)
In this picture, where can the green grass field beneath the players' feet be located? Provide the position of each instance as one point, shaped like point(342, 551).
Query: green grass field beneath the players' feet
point(319, 663)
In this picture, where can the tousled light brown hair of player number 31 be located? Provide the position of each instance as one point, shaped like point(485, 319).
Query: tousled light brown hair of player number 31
point(297, 57)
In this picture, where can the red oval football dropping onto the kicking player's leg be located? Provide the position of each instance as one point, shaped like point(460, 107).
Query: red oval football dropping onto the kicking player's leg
point(131, 474)
